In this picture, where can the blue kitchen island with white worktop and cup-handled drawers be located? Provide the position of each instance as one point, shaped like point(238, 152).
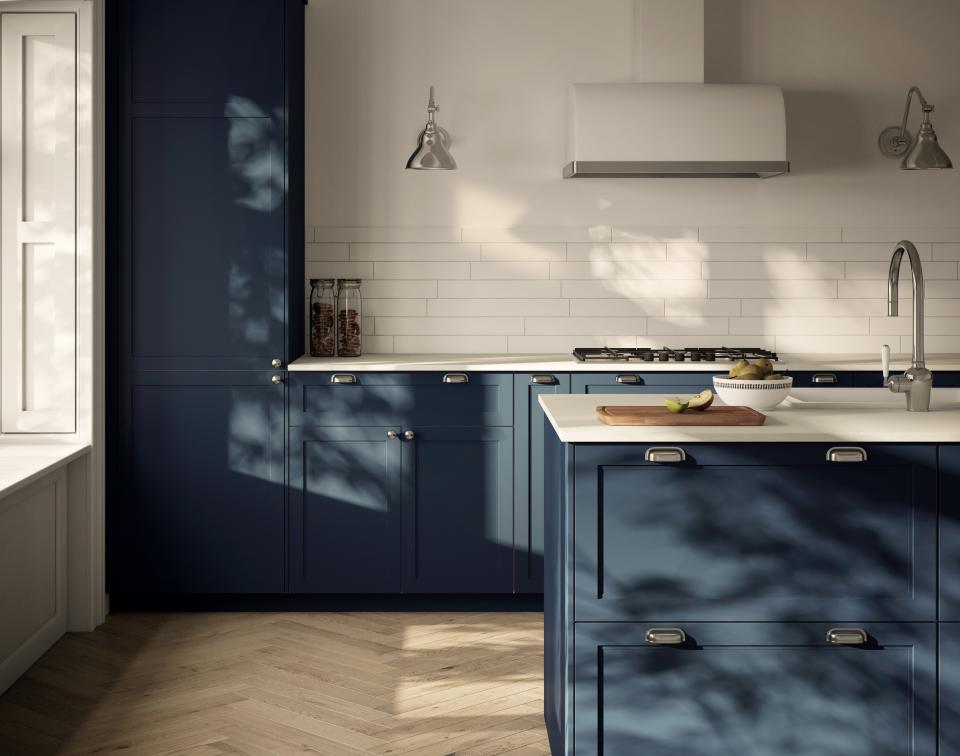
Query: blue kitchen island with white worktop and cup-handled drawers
point(768, 590)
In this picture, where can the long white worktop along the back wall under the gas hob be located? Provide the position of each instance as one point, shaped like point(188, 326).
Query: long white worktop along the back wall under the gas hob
point(565, 363)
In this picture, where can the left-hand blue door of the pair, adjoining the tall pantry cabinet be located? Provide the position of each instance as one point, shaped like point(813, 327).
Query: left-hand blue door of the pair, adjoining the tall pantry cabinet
point(344, 510)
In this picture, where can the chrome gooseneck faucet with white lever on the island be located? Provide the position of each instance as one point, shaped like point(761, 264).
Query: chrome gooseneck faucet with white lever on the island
point(917, 381)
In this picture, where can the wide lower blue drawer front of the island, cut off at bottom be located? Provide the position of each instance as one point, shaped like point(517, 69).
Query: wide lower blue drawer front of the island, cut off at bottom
point(772, 688)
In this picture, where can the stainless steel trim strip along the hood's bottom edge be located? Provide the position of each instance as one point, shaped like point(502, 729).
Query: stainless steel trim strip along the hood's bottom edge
point(675, 169)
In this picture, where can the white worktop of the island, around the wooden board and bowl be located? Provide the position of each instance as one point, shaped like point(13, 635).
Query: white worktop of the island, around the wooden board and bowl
point(574, 419)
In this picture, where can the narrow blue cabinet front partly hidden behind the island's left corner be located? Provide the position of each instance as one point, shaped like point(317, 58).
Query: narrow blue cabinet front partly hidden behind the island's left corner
point(528, 476)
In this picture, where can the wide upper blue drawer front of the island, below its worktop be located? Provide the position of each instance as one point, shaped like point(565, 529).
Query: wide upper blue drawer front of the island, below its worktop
point(755, 533)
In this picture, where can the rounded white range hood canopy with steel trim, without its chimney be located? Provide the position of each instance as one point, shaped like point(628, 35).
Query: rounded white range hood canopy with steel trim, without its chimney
point(676, 130)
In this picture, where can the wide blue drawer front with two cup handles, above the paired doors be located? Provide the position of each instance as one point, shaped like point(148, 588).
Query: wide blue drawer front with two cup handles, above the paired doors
point(402, 399)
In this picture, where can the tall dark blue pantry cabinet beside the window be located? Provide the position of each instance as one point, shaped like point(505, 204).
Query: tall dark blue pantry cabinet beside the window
point(205, 276)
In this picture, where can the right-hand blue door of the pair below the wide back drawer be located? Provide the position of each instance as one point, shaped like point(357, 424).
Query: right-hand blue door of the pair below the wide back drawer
point(458, 510)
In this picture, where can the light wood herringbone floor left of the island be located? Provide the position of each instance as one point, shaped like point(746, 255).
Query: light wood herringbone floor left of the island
point(322, 683)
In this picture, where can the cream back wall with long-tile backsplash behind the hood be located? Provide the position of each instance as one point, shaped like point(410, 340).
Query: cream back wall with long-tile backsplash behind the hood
point(504, 255)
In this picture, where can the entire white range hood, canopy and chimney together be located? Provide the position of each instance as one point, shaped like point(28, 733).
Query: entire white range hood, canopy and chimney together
point(669, 123)
